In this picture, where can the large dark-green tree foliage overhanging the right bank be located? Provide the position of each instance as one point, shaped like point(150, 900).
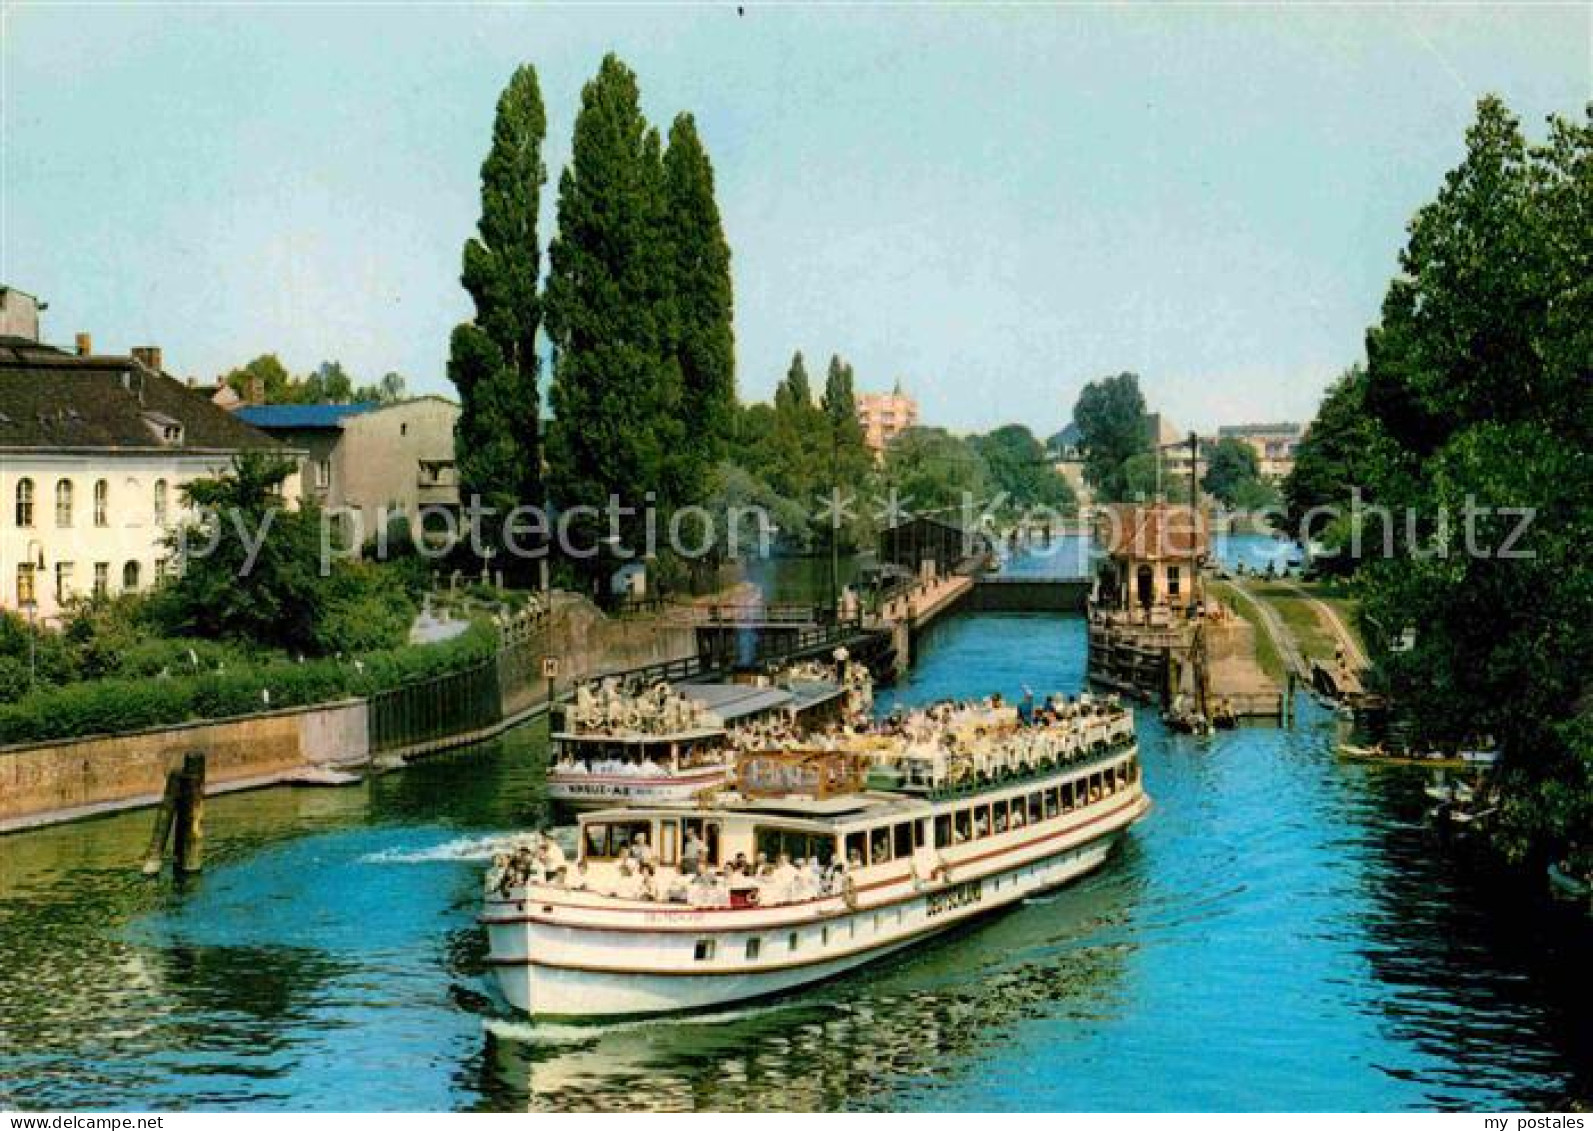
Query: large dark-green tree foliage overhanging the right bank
point(1479, 388)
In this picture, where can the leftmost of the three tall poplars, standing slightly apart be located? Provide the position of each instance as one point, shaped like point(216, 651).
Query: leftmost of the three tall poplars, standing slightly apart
point(493, 359)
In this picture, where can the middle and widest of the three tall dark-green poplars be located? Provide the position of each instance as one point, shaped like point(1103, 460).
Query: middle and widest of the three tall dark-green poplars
point(617, 386)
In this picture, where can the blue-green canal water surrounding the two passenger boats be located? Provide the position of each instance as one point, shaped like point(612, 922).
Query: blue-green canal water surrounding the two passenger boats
point(1278, 934)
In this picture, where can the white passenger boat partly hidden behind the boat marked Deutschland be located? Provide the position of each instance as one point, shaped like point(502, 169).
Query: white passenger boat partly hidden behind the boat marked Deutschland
point(670, 743)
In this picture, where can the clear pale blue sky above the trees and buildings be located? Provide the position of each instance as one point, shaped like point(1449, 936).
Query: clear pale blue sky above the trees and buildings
point(993, 205)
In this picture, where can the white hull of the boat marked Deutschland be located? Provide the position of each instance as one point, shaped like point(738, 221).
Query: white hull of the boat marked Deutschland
point(652, 966)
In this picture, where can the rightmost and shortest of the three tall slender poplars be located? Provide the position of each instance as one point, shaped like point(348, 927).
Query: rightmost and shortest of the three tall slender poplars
point(703, 305)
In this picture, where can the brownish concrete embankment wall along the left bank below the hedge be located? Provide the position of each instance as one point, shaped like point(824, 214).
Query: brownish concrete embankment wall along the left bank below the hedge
point(49, 783)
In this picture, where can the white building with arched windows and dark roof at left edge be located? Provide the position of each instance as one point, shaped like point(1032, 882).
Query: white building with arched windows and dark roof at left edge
point(95, 453)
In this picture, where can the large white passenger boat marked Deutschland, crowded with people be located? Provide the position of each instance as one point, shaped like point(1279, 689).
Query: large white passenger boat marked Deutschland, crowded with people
point(659, 915)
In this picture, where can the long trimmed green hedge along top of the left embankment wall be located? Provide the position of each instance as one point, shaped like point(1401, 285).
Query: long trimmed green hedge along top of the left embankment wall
point(128, 705)
